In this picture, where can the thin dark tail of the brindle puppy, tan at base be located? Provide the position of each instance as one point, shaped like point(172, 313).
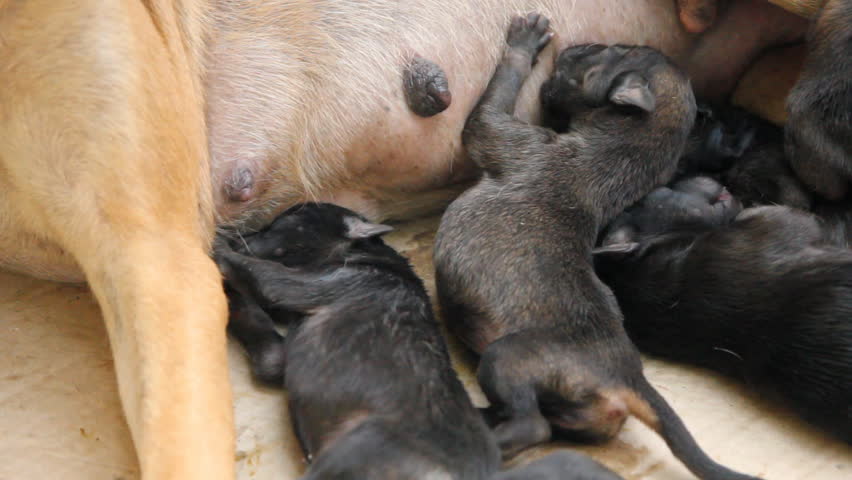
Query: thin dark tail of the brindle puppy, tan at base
point(651, 408)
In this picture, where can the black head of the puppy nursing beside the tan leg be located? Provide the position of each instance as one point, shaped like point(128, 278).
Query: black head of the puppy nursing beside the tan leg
point(312, 232)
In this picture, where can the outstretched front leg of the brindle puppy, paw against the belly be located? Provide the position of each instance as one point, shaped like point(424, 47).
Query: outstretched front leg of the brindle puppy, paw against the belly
point(491, 125)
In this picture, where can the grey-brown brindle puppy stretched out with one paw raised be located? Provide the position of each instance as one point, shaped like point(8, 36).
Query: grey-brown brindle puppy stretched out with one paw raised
point(513, 253)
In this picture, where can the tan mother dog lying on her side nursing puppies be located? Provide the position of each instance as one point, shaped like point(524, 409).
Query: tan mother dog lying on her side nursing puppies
point(126, 127)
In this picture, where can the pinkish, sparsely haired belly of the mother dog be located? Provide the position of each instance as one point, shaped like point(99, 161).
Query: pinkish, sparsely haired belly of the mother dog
point(327, 120)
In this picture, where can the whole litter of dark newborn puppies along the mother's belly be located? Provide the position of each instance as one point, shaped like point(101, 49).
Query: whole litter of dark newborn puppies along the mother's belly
point(623, 224)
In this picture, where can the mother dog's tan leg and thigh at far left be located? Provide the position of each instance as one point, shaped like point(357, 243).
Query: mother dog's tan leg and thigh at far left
point(104, 157)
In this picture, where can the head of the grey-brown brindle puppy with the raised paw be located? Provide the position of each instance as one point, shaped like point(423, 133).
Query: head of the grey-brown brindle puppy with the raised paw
point(632, 79)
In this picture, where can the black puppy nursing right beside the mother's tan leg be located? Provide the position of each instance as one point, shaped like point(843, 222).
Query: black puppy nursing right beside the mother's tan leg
point(372, 393)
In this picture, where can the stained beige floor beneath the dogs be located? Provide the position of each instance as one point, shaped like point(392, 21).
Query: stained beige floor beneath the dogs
point(60, 416)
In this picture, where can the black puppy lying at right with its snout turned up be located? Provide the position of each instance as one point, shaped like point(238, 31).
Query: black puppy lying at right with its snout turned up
point(759, 297)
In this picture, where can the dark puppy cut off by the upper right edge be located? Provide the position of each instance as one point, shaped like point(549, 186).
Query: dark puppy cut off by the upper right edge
point(819, 125)
